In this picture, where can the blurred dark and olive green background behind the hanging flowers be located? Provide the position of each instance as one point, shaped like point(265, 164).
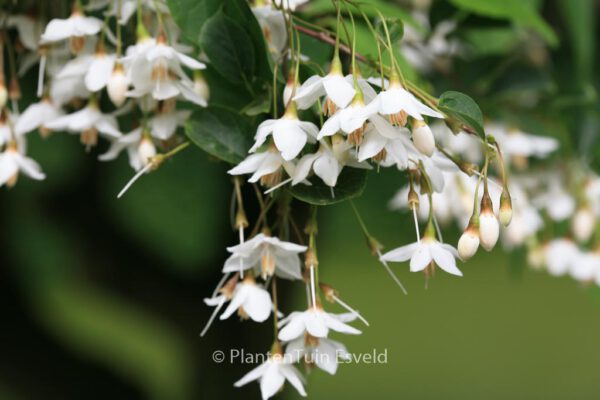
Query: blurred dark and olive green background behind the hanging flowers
point(102, 298)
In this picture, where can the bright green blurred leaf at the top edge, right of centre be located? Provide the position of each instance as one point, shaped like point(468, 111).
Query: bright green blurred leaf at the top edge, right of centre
point(520, 12)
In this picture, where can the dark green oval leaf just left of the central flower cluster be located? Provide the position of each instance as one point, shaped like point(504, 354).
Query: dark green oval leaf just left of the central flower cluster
point(220, 132)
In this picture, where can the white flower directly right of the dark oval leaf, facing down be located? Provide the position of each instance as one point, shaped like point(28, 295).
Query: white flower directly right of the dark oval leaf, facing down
point(290, 135)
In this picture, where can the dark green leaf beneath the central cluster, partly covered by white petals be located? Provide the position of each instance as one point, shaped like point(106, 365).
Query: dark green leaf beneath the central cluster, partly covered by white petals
point(350, 184)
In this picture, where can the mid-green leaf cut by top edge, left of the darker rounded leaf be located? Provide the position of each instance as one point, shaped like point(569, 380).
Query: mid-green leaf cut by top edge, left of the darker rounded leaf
point(190, 15)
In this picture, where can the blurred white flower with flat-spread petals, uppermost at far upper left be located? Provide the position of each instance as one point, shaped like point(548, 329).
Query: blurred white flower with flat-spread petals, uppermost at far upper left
point(77, 25)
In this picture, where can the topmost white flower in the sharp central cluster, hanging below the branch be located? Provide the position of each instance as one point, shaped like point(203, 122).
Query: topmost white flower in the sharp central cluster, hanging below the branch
point(334, 86)
